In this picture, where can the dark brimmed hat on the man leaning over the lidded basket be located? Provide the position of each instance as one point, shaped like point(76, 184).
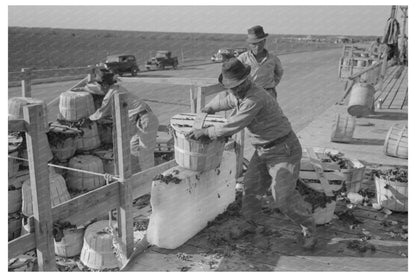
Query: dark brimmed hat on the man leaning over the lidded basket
point(233, 73)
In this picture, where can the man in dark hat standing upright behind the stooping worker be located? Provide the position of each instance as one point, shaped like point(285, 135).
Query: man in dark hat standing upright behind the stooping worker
point(266, 68)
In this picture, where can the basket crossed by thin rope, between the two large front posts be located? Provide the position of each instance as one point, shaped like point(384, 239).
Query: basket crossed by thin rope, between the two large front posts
point(80, 181)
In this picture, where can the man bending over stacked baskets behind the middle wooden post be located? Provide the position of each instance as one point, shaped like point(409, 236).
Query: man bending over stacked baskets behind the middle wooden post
point(143, 122)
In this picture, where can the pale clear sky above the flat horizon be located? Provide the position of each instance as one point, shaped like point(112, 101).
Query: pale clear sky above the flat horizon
point(321, 20)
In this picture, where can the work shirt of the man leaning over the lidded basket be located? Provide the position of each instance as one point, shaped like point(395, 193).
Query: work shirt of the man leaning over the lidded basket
point(257, 111)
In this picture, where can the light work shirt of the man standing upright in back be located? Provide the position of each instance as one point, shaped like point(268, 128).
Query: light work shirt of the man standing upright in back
point(266, 74)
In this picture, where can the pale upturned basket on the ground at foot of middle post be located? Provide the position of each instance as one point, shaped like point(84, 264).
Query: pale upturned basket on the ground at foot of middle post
point(97, 250)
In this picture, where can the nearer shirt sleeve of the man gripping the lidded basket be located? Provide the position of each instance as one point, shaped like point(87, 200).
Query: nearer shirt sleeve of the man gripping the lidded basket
point(245, 115)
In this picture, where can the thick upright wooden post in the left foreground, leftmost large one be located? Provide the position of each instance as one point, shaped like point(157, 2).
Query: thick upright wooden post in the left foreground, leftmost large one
point(39, 182)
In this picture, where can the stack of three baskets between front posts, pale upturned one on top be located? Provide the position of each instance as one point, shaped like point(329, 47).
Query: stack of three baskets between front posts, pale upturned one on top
point(74, 138)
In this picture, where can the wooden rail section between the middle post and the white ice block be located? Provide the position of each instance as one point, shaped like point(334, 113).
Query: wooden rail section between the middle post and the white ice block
point(141, 181)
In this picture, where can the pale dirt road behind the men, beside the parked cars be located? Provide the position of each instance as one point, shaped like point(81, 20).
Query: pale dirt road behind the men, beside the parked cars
point(309, 87)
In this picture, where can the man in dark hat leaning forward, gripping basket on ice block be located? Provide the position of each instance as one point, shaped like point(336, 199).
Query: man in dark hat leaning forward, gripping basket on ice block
point(276, 161)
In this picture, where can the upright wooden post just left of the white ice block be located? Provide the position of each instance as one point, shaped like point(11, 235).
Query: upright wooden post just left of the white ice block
point(123, 168)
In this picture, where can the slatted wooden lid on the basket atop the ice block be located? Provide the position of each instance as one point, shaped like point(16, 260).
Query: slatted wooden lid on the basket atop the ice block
point(184, 122)
